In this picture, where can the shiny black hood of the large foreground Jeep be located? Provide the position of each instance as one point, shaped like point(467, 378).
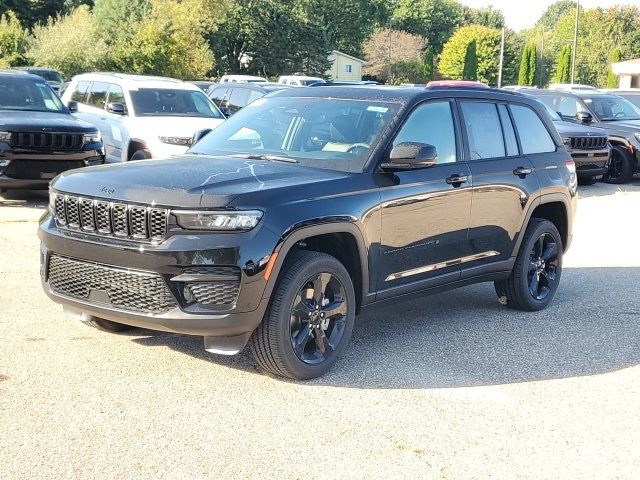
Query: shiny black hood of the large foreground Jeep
point(188, 181)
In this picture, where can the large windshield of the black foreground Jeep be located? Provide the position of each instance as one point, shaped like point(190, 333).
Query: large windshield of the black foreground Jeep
point(336, 134)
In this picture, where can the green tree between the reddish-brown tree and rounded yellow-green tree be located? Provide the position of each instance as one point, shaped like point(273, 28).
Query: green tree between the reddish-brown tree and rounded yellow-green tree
point(434, 20)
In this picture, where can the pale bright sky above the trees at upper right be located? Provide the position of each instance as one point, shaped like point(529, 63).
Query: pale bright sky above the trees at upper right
point(521, 14)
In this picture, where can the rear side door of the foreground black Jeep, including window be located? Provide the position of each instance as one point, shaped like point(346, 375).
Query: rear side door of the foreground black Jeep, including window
point(503, 183)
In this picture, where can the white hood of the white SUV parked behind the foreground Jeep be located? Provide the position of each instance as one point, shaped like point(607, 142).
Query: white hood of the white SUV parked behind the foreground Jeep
point(144, 127)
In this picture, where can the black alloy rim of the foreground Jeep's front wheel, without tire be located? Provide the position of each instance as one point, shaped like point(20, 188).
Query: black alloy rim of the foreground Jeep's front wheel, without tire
point(318, 318)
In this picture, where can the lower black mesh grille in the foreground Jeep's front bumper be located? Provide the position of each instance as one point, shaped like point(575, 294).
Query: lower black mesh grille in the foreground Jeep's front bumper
point(132, 290)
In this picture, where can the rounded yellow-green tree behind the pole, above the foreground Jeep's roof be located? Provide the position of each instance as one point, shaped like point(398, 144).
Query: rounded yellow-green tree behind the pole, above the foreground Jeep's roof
point(487, 41)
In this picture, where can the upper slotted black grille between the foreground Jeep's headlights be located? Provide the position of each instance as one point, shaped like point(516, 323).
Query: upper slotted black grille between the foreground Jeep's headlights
point(111, 218)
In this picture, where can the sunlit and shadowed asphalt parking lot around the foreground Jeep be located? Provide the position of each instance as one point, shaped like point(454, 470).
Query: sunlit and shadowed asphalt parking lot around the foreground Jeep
point(449, 386)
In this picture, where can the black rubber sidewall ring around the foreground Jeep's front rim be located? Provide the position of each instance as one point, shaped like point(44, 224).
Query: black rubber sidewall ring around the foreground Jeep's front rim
point(286, 292)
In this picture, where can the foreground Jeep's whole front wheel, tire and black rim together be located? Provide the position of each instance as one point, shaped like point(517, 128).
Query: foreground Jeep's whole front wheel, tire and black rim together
point(272, 343)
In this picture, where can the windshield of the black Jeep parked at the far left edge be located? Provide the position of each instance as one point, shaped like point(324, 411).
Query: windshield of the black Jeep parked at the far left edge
point(24, 94)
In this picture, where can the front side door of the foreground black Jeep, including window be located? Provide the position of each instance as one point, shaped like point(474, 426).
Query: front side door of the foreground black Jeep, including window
point(425, 213)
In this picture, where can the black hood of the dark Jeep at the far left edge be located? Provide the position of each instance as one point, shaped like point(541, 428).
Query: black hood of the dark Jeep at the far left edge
point(25, 121)
